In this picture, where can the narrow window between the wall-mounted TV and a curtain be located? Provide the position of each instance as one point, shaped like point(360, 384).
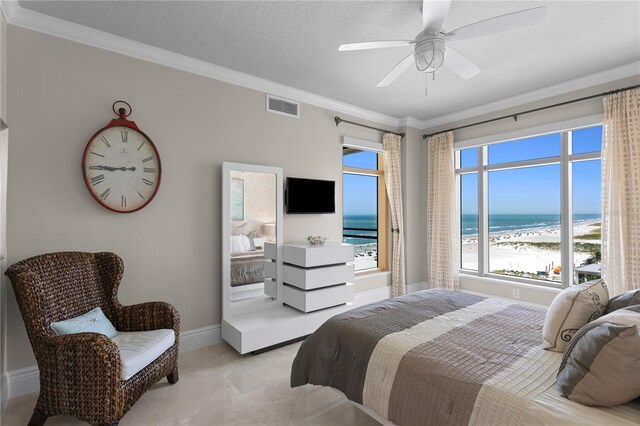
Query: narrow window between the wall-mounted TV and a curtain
point(364, 207)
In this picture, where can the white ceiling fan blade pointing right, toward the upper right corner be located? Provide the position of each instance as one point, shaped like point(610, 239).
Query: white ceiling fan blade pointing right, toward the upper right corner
point(508, 22)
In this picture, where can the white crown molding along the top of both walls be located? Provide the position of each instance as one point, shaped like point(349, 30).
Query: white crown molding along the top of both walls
point(16, 15)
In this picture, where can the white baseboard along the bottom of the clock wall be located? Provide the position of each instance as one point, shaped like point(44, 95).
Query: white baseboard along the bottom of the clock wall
point(27, 380)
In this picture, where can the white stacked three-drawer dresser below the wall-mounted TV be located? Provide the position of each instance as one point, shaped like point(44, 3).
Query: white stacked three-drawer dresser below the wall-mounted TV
point(317, 276)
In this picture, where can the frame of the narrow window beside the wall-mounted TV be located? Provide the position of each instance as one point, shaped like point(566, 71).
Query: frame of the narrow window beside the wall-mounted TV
point(382, 209)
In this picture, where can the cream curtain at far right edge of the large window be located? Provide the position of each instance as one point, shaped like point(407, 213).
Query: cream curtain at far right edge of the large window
point(621, 191)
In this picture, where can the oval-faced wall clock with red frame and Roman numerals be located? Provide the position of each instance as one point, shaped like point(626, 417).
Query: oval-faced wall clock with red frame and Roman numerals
point(121, 165)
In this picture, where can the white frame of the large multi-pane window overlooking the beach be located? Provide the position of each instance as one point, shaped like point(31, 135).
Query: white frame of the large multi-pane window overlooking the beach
point(566, 159)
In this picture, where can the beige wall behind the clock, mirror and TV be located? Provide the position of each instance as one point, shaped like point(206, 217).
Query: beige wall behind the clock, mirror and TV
point(61, 92)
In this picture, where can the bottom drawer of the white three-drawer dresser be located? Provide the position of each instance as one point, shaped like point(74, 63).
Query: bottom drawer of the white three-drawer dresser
point(313, 300)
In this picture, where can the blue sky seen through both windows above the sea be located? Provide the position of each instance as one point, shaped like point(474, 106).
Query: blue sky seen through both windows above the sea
point(532, 190)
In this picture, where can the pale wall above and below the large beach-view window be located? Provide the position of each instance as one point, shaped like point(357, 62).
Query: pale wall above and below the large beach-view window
point(529, 293)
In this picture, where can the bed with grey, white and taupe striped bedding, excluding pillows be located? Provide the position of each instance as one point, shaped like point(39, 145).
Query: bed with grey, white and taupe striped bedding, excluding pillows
point(438, 357)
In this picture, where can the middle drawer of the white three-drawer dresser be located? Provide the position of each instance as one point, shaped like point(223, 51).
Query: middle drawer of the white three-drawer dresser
point(308, 279)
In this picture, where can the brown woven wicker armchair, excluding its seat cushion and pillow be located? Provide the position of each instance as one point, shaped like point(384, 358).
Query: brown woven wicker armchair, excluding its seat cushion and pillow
point(80, 373)
